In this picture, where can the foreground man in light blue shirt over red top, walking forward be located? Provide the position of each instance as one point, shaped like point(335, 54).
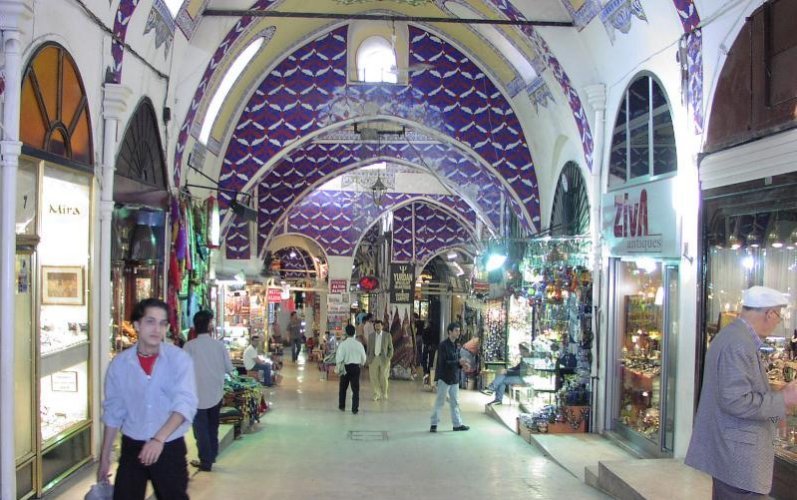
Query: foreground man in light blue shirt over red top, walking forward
point(151, 397)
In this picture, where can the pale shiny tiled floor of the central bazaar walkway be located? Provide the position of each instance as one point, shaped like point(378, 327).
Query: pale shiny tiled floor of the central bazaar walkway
point(307, 448)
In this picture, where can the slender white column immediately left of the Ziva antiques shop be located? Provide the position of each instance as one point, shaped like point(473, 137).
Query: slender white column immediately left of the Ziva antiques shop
point(596, 97)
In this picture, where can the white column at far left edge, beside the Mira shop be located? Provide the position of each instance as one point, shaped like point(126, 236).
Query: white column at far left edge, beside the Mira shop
point(13, 13)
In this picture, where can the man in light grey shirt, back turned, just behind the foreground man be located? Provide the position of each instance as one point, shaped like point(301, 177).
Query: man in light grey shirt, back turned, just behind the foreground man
point(211, 363)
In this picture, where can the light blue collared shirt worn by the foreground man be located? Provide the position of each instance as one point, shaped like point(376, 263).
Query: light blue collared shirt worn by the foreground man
point(138, 404)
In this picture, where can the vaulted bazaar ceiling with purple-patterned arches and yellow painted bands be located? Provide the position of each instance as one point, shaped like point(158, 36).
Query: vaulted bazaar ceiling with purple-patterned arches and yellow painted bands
point(288, 124)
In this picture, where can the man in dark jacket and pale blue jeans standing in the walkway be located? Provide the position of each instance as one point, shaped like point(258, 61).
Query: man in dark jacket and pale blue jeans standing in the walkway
point(447, 378)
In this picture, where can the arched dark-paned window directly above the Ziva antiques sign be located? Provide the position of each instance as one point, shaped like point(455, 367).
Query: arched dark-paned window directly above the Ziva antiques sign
point(643, 140)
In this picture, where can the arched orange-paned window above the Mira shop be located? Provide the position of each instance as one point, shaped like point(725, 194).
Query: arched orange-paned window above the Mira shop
point(55, 115)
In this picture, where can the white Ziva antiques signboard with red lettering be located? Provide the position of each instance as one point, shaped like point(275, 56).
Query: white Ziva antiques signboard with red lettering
point(642, 221)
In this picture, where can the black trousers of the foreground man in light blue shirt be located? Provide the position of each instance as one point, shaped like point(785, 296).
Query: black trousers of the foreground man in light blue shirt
point(169, 475)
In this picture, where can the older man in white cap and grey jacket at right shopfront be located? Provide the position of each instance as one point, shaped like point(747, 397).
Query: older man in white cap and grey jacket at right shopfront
point(738, 411)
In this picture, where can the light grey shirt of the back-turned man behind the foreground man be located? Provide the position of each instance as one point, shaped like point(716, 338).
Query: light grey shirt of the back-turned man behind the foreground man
point(211, 362)
